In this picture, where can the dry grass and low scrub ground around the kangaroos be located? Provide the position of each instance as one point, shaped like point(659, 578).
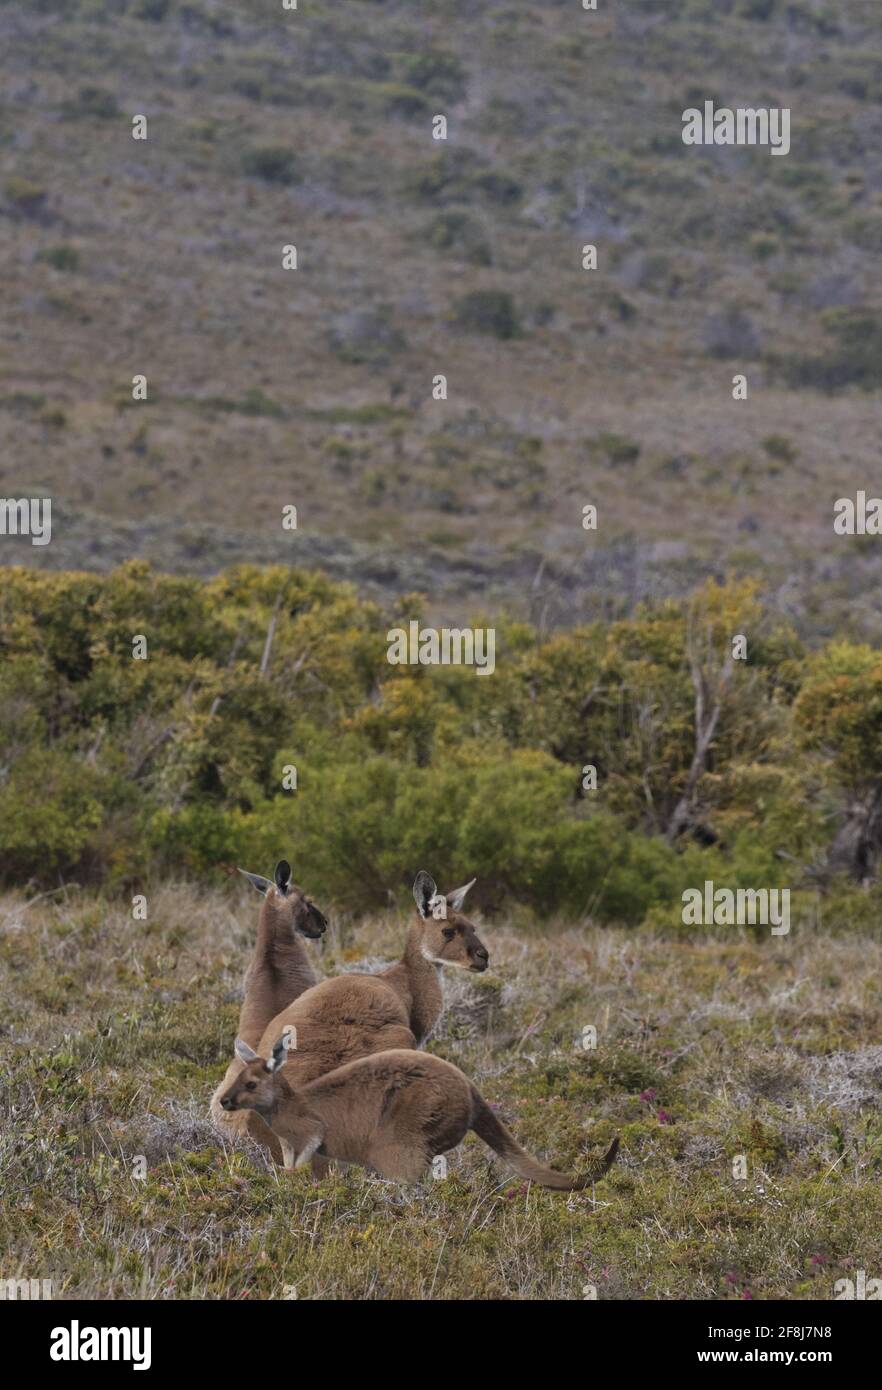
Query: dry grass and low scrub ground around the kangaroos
point(116, 1033)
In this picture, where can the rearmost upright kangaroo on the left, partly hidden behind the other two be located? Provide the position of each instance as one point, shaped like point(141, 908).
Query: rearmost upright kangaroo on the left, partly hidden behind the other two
point(278, 972)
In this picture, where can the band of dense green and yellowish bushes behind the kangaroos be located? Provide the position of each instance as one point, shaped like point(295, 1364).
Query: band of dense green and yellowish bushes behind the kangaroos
point(759, 772)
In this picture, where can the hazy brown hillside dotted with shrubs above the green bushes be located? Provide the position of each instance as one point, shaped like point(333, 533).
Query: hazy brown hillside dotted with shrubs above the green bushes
point(315, 387)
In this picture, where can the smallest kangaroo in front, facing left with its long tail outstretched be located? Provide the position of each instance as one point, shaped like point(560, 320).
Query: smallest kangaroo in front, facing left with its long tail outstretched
point(394, 1111)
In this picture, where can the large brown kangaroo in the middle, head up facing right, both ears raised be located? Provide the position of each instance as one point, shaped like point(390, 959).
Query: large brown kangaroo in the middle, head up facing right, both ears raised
point(353, 1015)
